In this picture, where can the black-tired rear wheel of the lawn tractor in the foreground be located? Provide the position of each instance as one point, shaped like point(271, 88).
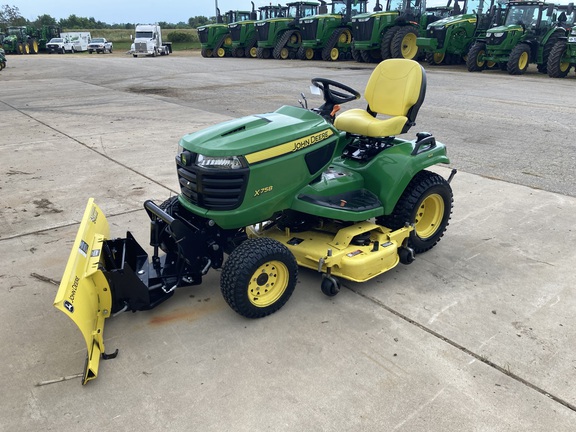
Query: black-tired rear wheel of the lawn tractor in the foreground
point(426, 203)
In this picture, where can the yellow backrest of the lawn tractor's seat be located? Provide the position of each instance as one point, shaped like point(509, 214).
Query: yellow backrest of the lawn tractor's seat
point(396, 88)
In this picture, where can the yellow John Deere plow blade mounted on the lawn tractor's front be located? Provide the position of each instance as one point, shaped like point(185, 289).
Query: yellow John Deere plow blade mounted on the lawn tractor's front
point(84, 293)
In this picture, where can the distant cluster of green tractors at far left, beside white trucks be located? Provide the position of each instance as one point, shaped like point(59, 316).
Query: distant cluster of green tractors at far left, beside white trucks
point(27, 39)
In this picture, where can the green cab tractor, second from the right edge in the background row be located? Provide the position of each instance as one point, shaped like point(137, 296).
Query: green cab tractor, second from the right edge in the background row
point(529, 33)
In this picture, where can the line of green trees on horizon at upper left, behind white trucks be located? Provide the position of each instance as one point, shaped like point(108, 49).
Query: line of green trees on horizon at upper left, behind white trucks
point(11, 16)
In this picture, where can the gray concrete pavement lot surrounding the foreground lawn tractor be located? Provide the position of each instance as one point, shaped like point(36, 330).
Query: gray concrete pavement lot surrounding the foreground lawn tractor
point(475, 335)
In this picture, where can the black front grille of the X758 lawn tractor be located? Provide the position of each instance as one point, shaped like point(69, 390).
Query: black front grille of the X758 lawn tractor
point(212, 189)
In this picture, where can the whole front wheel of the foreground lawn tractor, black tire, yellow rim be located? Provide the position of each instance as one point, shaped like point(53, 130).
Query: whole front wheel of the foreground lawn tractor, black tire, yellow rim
point(259, 277)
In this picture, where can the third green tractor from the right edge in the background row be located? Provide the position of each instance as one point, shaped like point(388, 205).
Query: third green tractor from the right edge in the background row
point(448, 40)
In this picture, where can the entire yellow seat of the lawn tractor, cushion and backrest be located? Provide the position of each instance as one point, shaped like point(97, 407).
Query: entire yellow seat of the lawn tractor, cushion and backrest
point(396, 89)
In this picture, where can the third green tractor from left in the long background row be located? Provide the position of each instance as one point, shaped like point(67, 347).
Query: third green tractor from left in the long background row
point(281, 37)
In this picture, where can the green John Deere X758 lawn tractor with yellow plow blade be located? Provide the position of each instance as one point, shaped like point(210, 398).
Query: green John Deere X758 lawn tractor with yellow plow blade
point(341, 195)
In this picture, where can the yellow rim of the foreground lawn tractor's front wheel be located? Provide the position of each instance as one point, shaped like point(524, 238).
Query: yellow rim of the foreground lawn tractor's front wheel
point(268, 283)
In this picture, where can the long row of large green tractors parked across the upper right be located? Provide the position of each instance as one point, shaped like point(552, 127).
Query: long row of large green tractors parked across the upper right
point(483, 34)
